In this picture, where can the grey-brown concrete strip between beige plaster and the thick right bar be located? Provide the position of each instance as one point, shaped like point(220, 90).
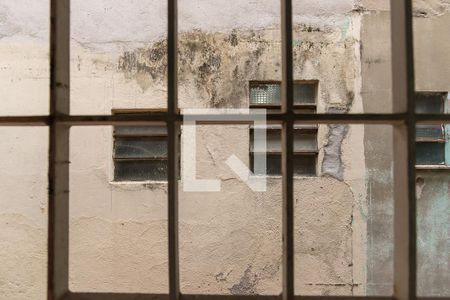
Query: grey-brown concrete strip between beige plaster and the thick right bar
point(377, 94)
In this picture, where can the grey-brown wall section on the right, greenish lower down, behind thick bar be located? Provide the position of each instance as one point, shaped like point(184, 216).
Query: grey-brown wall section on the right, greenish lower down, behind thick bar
point(432, 66)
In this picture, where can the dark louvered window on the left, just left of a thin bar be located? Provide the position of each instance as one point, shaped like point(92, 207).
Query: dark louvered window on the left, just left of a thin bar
point(140, 153)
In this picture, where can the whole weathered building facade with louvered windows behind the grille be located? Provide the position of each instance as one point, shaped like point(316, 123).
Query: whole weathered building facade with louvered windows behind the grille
point(230, 241)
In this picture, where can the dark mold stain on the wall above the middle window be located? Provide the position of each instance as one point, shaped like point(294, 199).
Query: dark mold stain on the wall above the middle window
point(215, 68)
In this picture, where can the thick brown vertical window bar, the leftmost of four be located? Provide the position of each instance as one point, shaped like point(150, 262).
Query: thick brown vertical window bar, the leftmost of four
point(58, 173)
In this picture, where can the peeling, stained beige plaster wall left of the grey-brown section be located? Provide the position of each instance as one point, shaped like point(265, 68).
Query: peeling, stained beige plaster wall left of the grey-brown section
point(230, 242)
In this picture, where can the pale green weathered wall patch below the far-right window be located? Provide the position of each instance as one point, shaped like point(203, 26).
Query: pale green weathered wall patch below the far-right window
point(433, 238)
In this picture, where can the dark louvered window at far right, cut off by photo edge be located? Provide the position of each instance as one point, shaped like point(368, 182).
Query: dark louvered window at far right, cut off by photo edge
point(431, 139)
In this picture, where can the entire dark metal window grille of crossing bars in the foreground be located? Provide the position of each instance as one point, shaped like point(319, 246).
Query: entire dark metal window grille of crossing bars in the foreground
point(404, 120)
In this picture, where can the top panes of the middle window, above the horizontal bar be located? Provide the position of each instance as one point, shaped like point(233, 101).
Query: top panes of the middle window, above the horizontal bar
point(270, 93)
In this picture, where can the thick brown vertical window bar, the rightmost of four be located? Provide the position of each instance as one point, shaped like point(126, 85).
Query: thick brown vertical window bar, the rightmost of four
point(404, 151)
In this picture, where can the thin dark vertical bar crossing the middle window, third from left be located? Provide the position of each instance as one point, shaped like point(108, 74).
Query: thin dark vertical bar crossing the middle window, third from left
point(287, 104)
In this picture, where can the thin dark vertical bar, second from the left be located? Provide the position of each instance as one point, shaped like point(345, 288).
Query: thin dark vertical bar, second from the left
point(173, 149)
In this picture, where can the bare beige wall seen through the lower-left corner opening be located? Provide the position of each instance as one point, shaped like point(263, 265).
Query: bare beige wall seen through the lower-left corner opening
point(23, 213)
